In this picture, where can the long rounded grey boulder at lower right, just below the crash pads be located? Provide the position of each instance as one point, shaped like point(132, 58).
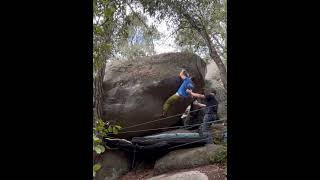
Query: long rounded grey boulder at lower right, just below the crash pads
point(190, 158)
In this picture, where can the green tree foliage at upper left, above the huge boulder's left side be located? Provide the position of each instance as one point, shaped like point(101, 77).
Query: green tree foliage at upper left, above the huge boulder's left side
point(115, 23)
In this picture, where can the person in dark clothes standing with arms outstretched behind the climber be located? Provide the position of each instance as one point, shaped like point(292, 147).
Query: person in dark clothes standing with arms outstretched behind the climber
point(210, 111)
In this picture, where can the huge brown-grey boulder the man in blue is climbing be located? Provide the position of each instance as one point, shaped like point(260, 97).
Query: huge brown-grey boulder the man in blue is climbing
point(135, 90)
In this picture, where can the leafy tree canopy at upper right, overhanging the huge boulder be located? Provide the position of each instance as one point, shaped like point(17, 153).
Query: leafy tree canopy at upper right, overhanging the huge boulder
point(191, 19)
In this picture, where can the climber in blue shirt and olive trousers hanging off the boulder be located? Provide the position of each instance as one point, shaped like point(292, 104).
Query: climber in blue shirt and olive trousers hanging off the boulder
point(181, 93)
